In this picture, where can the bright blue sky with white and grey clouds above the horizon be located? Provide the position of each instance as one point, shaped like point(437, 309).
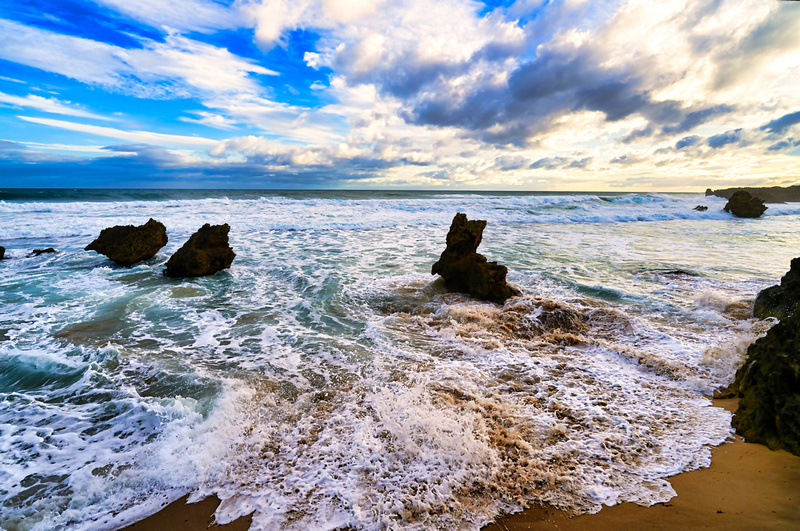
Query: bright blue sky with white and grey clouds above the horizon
point(533, 95)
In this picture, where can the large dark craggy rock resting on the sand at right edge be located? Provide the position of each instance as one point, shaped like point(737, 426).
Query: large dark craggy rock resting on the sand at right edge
point(769, 387)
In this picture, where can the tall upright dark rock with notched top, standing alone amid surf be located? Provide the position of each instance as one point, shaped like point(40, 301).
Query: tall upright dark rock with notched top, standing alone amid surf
point(466, 271)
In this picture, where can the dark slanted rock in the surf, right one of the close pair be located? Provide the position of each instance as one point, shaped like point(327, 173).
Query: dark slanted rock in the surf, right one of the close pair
point(206, 252)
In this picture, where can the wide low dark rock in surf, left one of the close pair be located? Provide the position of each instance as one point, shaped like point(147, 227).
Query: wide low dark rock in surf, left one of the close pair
point(128, 244)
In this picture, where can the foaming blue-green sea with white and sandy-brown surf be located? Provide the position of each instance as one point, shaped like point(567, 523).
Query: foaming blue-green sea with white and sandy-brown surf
point(328, 380)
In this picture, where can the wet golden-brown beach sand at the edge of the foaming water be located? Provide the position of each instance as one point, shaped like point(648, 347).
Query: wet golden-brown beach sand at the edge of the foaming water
point(747, 486)
